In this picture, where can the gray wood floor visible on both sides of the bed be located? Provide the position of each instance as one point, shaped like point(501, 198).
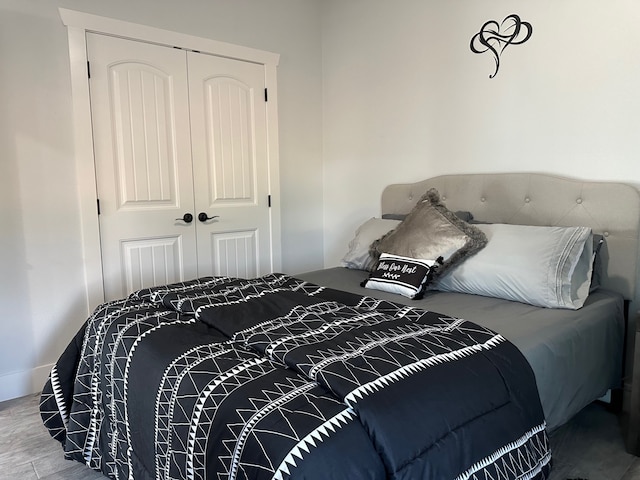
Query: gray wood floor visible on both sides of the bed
point(589, 447)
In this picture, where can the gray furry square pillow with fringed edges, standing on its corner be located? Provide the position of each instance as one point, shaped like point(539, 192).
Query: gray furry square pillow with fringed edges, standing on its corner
point(431, 232)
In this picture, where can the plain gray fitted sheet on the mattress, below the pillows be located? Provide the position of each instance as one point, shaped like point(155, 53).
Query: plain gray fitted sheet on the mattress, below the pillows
point(576, 355)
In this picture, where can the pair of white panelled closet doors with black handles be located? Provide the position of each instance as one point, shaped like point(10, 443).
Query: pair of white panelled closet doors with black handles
point(181, 164)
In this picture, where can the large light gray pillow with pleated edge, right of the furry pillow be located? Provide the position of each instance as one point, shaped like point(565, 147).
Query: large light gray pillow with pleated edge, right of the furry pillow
point(543, 266)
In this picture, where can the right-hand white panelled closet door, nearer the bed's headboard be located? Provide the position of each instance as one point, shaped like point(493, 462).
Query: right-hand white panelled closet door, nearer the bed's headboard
point(231, 177)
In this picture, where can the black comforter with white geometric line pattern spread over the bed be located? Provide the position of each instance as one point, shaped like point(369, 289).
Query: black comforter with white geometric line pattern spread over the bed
point(277, 378)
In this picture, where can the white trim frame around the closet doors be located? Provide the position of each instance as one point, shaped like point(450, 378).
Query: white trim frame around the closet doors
point(78, 25)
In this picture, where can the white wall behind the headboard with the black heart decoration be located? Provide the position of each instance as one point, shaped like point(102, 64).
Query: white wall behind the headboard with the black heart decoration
point(405, 98)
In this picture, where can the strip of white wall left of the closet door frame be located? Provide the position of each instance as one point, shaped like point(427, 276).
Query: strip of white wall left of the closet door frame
point(41, 281)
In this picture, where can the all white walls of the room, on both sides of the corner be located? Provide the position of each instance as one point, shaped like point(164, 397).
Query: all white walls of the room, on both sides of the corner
point(370, 92)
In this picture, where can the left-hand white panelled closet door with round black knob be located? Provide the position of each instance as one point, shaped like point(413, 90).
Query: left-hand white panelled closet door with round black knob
point(139, 102)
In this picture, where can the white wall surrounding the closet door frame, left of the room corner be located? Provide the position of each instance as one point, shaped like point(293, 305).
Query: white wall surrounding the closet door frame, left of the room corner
point(41, 284)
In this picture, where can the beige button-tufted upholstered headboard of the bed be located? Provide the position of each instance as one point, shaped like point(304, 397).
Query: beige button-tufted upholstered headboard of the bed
point(612, 209)
